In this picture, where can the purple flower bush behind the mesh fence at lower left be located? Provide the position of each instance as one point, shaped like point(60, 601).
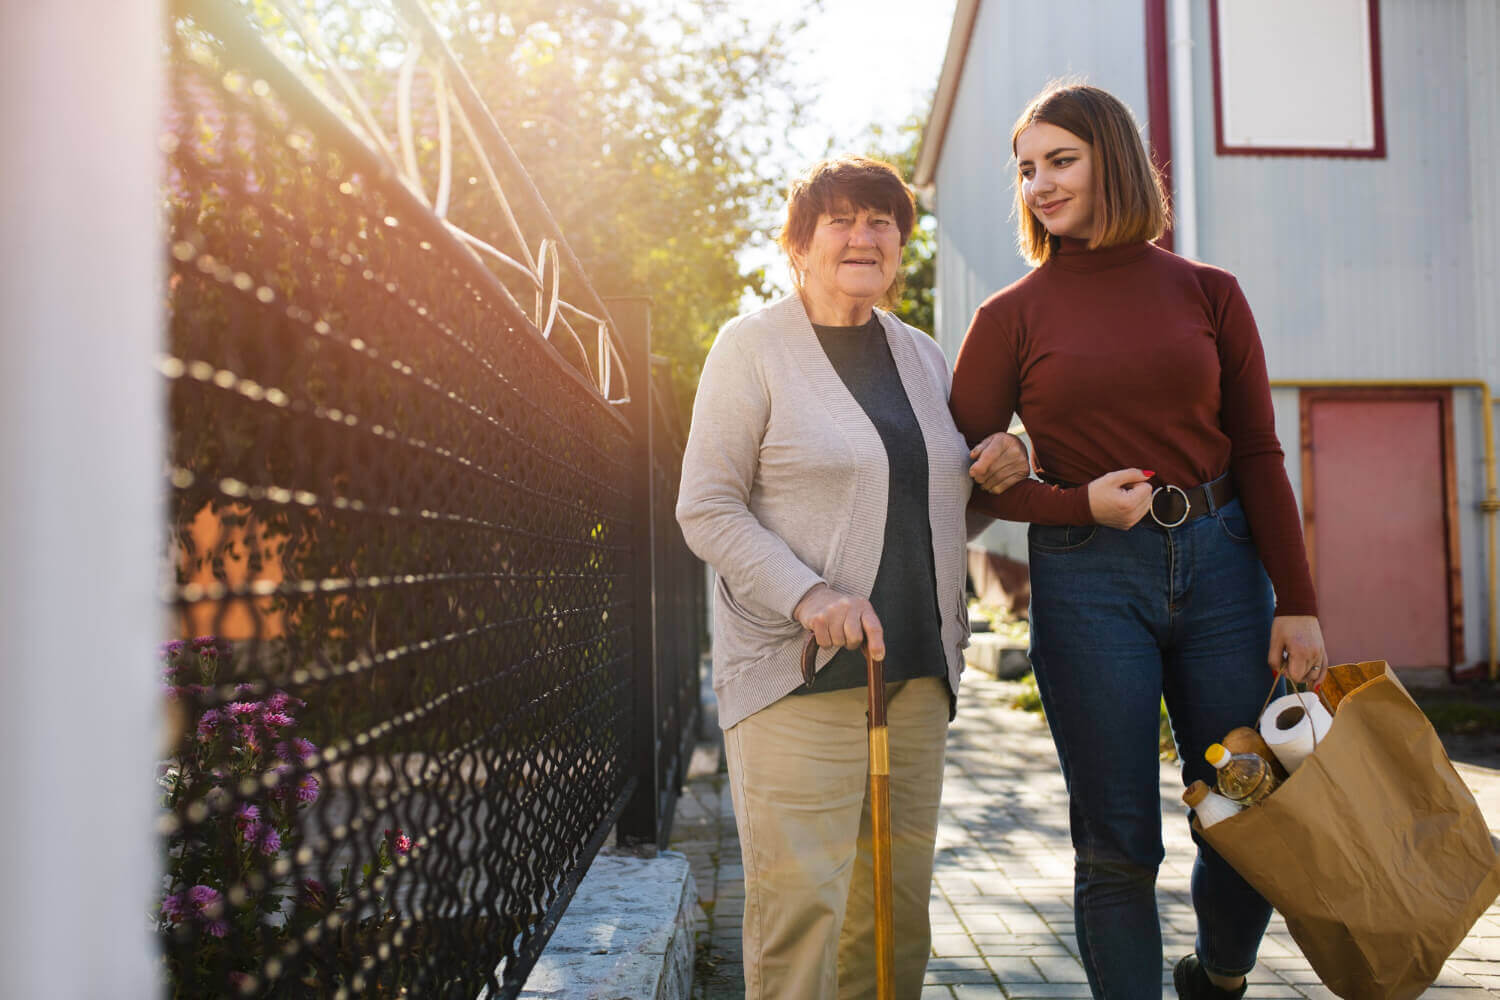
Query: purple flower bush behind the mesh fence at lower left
point(233, 785)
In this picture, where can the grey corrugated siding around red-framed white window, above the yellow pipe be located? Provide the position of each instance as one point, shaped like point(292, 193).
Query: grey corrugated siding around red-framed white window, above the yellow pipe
point(1360, 268)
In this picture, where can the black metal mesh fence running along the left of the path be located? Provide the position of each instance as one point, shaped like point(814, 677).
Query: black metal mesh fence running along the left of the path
point(439, 629)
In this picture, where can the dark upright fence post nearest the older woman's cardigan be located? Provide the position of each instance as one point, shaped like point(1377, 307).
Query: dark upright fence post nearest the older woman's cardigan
point(641, 824)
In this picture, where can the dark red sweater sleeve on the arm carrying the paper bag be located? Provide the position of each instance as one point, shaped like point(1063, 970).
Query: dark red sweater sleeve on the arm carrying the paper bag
point(1256, 460)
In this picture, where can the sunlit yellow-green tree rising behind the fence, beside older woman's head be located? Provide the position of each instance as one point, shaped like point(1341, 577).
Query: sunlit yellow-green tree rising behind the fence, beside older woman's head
point(652, 139)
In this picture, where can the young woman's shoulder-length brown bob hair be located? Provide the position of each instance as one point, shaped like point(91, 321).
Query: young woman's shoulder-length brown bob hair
point(1130, 203)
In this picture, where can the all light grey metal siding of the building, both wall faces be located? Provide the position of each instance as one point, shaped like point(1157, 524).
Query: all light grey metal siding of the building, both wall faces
point(1358, 269)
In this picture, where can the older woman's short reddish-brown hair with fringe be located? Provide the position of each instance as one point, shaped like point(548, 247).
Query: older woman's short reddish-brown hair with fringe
point(856, 182)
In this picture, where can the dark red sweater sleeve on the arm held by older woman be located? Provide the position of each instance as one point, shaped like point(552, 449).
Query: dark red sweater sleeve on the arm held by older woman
point(986, 389)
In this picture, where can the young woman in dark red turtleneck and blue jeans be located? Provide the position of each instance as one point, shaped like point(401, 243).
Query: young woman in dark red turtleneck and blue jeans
point(1162, 512)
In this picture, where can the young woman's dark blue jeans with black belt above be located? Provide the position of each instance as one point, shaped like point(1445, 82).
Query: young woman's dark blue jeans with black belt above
point(1120, 621)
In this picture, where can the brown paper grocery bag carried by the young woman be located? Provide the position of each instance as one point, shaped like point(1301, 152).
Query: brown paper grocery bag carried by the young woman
point(1373, 851)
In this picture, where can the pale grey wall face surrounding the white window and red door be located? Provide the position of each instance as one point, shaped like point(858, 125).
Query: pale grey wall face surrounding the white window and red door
point(1379, 269)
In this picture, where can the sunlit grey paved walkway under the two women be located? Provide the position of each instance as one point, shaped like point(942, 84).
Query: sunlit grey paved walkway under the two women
point(1003, 902)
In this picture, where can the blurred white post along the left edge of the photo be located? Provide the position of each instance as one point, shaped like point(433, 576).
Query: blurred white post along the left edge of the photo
point(80, 478)
